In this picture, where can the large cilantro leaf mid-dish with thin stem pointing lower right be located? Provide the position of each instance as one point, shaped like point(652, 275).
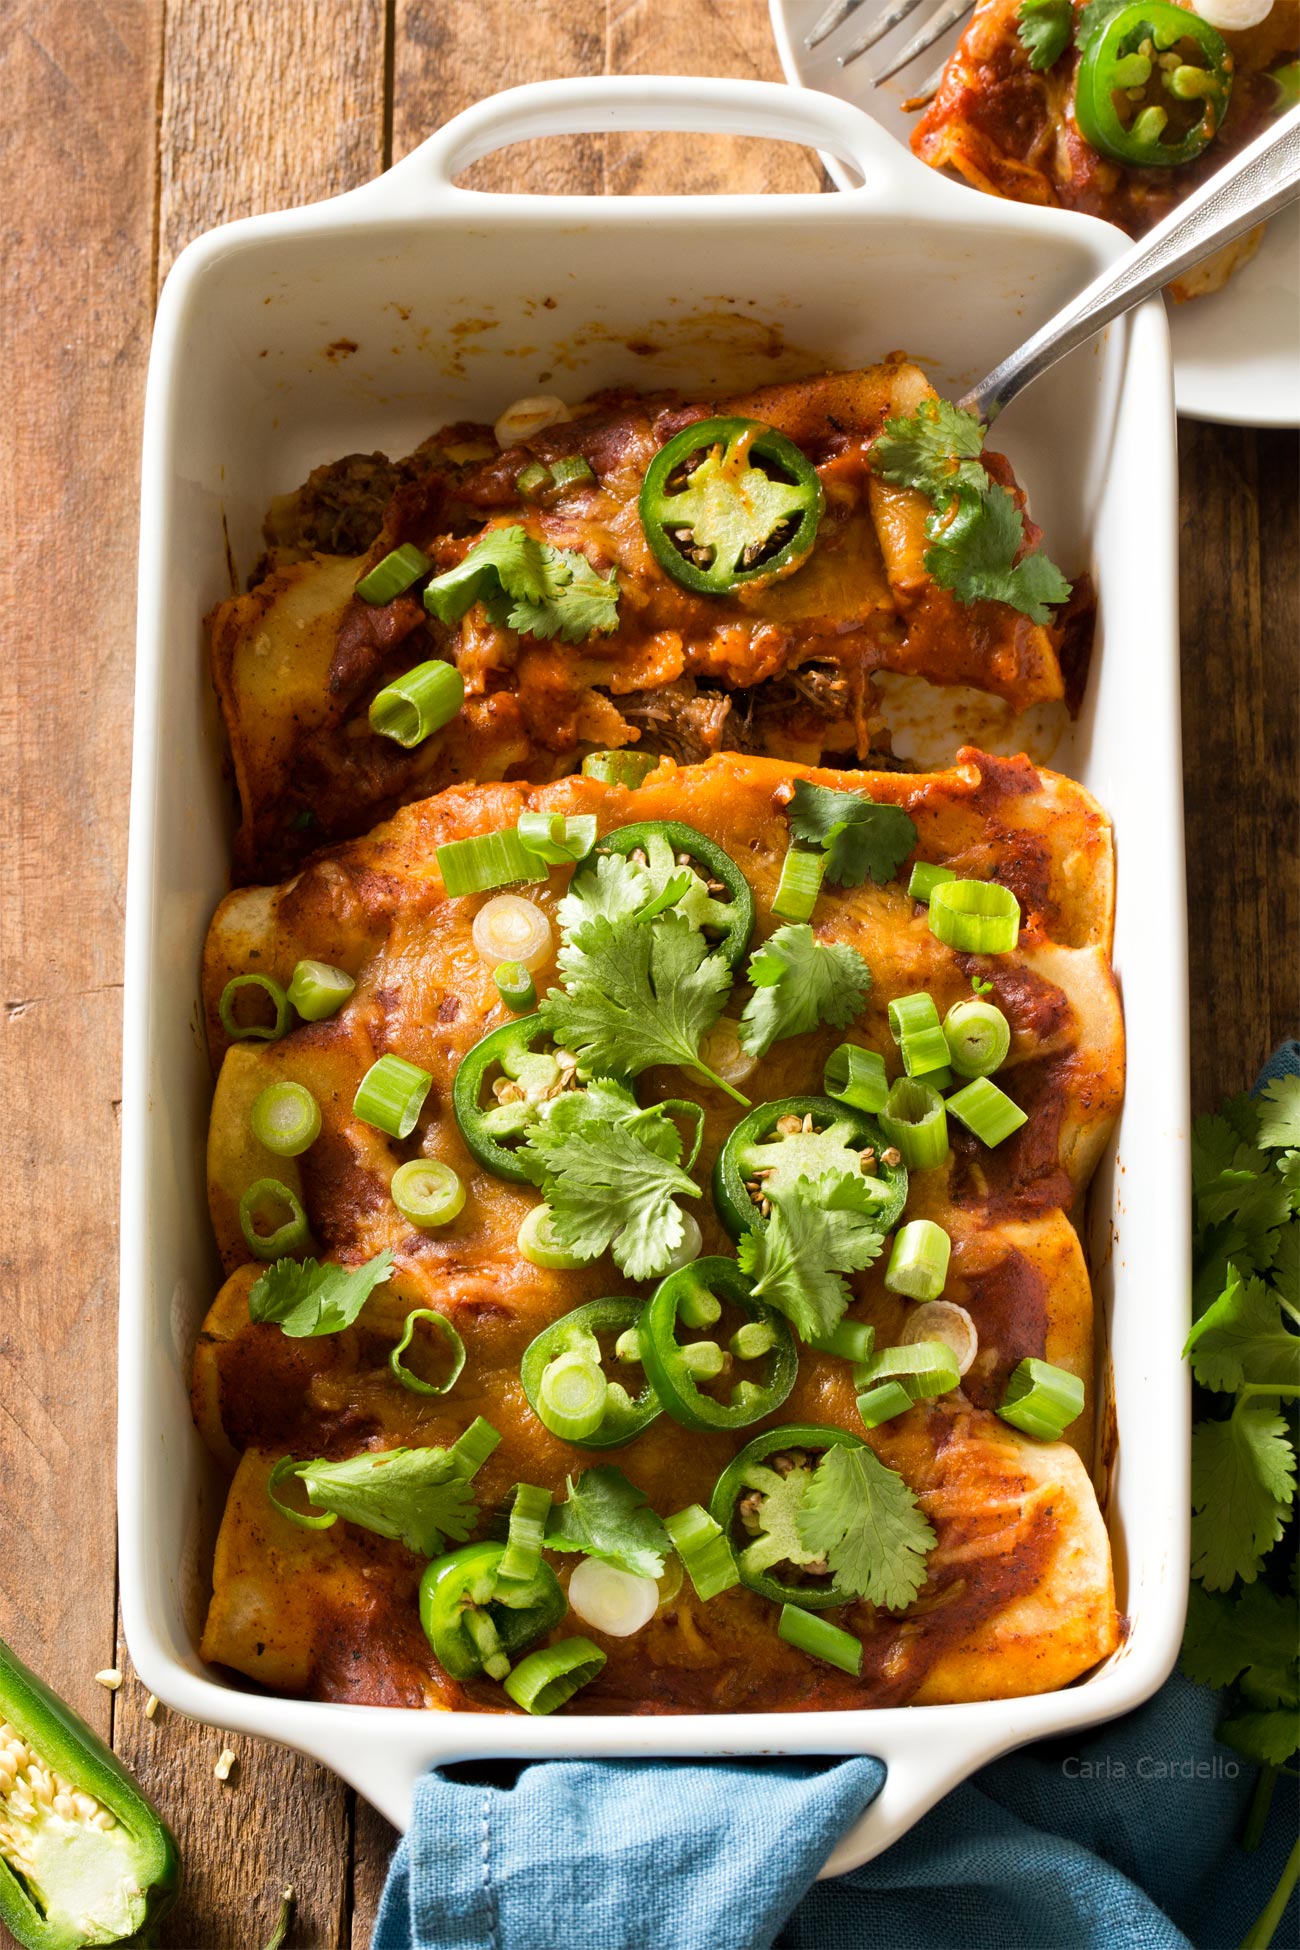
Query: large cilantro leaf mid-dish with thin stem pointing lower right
point(636, 997)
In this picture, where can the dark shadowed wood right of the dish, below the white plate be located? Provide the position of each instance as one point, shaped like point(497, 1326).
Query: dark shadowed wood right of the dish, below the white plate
point(1243, 752)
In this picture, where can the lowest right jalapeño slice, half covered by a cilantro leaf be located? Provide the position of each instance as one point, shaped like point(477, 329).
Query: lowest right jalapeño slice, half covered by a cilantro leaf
point(757, 1504)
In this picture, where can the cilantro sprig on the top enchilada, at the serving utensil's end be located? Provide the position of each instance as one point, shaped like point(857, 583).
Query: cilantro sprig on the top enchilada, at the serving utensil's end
point(977, 531)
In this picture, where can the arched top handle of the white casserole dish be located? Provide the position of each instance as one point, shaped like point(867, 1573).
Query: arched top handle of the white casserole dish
point(642, 102)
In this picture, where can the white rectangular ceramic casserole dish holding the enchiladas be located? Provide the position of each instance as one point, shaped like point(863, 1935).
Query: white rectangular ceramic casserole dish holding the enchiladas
point(369, 321)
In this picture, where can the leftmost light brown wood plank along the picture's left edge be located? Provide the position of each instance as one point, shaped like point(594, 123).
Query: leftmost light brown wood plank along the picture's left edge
point(77, 155)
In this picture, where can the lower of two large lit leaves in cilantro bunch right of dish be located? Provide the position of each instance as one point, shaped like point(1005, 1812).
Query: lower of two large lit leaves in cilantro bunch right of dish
point(1243, 1485)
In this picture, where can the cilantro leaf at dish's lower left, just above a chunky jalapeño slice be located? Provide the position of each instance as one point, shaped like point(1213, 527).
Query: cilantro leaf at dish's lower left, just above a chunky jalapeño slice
point(416, 1497)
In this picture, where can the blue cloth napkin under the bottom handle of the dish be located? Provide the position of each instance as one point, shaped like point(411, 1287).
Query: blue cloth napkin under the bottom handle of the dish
point(1122, 1840)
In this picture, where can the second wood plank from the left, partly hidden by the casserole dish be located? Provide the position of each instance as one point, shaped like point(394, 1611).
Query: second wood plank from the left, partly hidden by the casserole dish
point(254, 118)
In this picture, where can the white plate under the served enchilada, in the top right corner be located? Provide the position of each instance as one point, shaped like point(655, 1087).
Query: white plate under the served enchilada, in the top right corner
point(1237, 356)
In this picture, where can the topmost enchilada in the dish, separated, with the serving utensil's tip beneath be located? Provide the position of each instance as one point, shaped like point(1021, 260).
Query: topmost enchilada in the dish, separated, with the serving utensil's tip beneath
point(656, 633)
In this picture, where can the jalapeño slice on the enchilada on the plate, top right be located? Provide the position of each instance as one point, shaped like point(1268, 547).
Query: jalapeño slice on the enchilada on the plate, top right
point(1153, 87)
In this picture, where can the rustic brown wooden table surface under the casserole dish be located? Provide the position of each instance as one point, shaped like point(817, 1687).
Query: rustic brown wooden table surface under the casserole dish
point(132, 126)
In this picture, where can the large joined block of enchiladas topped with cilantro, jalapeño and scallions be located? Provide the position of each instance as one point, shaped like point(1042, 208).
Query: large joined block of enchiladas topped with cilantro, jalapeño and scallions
point(646, 1206)
